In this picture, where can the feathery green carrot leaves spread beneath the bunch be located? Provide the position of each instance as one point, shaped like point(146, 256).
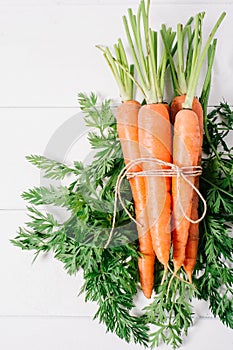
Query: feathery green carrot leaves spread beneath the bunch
point(111, 275)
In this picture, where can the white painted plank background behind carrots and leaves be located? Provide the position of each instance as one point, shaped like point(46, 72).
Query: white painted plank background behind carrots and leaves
point(47, 56)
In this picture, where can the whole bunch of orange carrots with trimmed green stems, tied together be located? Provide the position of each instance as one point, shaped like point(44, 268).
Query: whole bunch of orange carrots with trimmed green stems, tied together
point(171, 133)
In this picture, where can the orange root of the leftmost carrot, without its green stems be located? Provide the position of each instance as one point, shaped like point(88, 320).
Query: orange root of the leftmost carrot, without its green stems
point(127, 126)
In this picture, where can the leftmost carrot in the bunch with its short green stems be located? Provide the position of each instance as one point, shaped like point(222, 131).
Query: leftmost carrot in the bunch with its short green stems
point(127, 127)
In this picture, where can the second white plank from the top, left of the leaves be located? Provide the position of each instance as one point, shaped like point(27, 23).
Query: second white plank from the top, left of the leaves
point(55, 133)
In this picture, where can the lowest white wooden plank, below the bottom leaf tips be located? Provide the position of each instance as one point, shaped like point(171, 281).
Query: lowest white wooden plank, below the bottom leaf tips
point(83, 333)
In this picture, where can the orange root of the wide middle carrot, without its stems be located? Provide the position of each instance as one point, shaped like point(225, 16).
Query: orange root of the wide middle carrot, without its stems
point(155, 141)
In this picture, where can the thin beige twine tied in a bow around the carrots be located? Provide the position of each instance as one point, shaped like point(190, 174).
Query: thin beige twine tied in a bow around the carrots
point(171, 171)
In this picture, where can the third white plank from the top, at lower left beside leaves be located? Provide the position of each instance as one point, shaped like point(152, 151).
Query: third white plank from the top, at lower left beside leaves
point(43, 288)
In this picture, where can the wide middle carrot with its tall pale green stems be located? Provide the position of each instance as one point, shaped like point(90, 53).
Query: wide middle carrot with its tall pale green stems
point(155, 136)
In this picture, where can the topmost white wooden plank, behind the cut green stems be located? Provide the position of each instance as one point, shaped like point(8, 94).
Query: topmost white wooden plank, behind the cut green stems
point(51, 49)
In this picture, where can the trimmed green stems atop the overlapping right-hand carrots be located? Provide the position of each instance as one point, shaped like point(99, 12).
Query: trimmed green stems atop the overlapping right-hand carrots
point(186, 69)
